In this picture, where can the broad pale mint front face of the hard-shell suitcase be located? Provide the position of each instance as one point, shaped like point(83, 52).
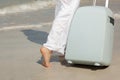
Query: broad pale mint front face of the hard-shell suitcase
point(81, 47)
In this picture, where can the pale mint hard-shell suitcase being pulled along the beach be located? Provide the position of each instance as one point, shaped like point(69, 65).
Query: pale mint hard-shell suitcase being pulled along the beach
point(90, 38)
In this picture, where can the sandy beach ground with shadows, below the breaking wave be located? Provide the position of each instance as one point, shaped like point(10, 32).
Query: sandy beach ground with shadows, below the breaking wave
point(20, 58)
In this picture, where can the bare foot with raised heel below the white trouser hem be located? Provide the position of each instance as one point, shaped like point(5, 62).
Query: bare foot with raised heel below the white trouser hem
point(46, 53)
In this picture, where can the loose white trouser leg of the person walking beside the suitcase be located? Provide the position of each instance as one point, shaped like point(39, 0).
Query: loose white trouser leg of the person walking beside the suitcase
point(57, 37)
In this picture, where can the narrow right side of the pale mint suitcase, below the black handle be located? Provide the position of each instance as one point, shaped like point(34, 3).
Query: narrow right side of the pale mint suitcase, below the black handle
point(108, 46)
